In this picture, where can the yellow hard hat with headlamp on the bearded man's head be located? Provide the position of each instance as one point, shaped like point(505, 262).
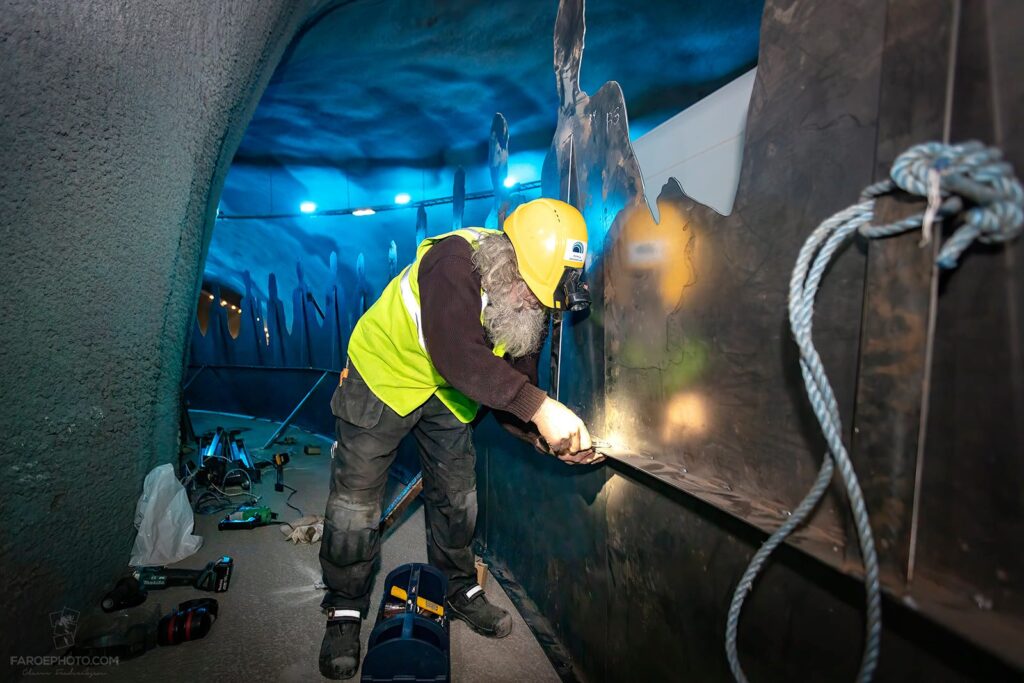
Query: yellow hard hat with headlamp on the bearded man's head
point(550, 242)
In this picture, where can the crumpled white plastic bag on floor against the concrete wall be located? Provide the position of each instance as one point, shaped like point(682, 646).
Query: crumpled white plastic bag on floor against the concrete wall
point(164, 521)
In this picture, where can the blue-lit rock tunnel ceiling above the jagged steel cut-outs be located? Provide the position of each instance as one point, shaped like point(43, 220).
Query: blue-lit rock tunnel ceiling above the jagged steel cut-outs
point(379, 99)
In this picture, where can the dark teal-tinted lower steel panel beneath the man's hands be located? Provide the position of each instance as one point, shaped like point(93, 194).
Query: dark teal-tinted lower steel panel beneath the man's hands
point(546, 521)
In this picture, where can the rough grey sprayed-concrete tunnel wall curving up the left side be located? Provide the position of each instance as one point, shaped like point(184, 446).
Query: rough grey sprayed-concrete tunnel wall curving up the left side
point(118, 123)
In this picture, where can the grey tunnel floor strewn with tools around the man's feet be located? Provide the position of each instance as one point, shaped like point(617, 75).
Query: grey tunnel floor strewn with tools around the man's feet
point(270, 627)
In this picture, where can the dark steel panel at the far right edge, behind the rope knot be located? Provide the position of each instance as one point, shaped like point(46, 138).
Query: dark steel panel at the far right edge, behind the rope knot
point(971, 519)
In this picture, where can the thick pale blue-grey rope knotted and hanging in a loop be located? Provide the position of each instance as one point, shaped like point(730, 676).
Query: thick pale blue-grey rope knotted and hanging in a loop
point(968, 180)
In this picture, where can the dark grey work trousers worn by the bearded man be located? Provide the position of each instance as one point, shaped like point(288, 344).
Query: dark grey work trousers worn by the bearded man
point(368, 434)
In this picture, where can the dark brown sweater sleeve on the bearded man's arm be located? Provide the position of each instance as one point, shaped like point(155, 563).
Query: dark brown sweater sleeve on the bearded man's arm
point(457, 341)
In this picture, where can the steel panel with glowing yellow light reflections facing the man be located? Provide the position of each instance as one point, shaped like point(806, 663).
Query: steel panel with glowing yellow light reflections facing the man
point(704, 388)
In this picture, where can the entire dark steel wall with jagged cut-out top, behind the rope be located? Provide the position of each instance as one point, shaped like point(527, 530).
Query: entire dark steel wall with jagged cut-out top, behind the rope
point(628, 570)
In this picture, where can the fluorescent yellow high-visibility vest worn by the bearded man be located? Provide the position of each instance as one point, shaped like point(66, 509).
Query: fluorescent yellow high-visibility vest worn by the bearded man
point(389, 350)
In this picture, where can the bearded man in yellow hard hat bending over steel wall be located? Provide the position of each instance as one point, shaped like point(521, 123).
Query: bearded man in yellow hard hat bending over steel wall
point(459, 328)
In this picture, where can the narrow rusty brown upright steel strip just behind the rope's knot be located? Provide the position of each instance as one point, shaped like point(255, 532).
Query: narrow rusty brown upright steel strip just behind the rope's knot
point(899, 292)
